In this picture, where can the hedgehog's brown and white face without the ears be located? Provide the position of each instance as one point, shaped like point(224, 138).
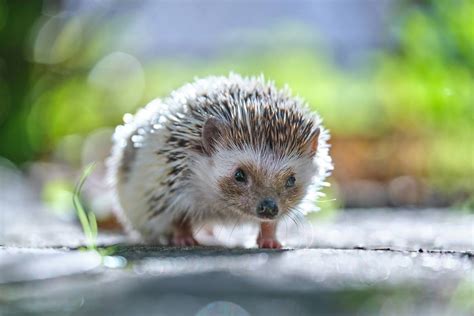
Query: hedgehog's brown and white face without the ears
point(259, 185)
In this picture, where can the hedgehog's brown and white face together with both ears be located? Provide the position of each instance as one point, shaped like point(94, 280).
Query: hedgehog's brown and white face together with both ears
point(254, 182)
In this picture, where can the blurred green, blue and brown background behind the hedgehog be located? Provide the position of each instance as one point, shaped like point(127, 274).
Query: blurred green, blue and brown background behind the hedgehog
point(393, 81)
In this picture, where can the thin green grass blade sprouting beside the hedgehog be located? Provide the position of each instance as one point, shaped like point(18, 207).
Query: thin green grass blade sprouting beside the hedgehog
point(87, 218)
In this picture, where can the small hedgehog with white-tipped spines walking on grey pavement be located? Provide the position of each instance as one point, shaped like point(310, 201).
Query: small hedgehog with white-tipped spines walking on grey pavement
point(220, 150)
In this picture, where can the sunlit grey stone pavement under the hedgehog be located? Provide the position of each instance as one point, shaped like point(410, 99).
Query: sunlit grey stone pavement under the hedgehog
point(359, 262)
